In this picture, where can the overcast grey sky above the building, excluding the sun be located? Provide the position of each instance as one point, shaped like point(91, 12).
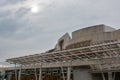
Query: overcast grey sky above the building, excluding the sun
point(24, 32)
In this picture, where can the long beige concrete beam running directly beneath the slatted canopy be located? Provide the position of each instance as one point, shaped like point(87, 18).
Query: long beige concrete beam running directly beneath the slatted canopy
point(65, 64)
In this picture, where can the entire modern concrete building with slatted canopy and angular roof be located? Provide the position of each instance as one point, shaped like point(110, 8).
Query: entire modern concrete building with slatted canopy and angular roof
point(91, 53)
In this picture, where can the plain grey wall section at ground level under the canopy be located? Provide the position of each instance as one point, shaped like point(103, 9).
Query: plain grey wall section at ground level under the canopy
point(81, 74)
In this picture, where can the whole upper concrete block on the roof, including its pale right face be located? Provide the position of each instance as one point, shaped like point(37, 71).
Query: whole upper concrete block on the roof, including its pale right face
point(96, 34)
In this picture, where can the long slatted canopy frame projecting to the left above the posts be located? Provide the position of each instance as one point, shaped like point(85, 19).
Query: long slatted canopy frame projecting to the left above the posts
point(98, 51)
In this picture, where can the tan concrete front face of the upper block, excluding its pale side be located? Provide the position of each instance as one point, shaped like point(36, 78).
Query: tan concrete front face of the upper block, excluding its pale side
point(88, 33)
